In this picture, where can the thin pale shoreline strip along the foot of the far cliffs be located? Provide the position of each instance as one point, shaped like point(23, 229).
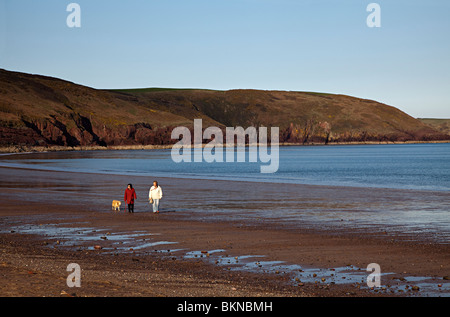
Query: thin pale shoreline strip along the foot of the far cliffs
point(56, 148)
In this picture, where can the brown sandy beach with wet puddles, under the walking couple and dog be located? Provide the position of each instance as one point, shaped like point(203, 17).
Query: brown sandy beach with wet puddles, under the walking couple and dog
point(51, 219)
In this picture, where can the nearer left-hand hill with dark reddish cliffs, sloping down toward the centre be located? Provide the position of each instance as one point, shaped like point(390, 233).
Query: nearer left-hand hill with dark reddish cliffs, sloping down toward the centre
point(40, 111)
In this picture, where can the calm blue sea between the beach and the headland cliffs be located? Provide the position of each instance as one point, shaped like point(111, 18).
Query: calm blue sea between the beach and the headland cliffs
point(409, 166)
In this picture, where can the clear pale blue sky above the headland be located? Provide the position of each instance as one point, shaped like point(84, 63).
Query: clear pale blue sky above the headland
point(302, 45)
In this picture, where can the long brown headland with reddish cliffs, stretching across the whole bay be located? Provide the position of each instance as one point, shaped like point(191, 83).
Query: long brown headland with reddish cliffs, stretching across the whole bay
point(38, 110)
